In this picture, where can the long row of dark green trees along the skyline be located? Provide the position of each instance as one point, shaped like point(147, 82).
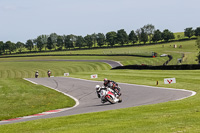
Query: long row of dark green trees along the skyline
point(147, 33)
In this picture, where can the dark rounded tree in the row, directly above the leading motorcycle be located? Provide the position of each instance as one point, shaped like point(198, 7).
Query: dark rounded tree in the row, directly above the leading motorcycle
point(111, 38)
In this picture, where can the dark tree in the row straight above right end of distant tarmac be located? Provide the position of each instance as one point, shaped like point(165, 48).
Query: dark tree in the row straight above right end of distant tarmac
point(122, 37)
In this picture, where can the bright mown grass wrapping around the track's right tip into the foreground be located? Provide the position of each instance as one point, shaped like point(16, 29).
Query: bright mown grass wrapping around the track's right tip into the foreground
point(174, 116)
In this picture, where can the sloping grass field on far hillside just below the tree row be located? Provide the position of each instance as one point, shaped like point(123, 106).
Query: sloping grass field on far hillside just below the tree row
point(188, 49)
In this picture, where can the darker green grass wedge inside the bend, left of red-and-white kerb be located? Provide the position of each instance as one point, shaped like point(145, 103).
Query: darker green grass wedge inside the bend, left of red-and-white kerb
point(21, 98)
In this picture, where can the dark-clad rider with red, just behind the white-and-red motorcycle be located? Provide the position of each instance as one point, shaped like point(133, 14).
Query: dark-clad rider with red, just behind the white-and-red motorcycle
point(113, 85)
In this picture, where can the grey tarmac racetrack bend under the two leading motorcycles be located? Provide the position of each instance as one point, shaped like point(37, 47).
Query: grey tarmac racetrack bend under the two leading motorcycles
point(84, 92)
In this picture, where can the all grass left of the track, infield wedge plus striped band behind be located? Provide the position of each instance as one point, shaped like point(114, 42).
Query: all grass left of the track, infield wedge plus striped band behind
point(21, 98)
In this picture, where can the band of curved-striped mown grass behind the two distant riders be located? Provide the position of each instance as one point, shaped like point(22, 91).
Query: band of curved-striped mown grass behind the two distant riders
point(21, 69)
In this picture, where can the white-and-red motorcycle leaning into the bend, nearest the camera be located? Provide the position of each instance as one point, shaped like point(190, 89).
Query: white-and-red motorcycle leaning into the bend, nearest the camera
point(108, 95)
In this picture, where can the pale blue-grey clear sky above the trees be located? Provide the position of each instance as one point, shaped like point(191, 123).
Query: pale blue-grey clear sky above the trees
point(21, 20)
